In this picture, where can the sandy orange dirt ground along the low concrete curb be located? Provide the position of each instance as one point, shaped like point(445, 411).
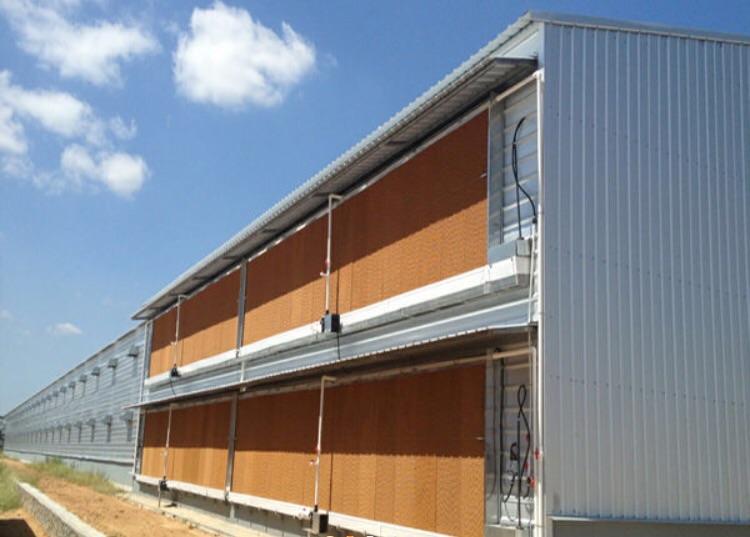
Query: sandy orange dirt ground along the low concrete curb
point(112, 515)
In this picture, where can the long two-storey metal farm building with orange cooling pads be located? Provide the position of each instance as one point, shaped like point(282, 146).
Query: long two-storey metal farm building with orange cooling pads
point(520, 306)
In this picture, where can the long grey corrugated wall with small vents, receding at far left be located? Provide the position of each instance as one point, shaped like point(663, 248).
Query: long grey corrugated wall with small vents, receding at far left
point(87, 419)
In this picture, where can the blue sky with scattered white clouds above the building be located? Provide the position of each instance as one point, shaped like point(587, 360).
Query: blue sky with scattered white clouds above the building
point(136, 137)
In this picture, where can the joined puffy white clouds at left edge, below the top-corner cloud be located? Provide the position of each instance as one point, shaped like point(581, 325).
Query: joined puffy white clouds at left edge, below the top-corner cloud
point(71, 119)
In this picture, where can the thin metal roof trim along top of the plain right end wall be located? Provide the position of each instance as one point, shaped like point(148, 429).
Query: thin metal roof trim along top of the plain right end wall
point(635, 26)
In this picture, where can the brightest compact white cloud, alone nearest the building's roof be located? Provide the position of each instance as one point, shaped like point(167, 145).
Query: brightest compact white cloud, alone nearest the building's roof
point(230, 60)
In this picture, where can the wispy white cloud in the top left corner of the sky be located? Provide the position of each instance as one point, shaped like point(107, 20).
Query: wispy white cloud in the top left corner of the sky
point(90, 52)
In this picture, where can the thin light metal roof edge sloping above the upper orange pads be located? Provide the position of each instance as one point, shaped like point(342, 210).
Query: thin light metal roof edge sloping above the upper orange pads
point(378, 136)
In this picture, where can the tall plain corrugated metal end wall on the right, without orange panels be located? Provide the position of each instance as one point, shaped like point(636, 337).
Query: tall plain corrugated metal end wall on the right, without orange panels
point(646, 275)
